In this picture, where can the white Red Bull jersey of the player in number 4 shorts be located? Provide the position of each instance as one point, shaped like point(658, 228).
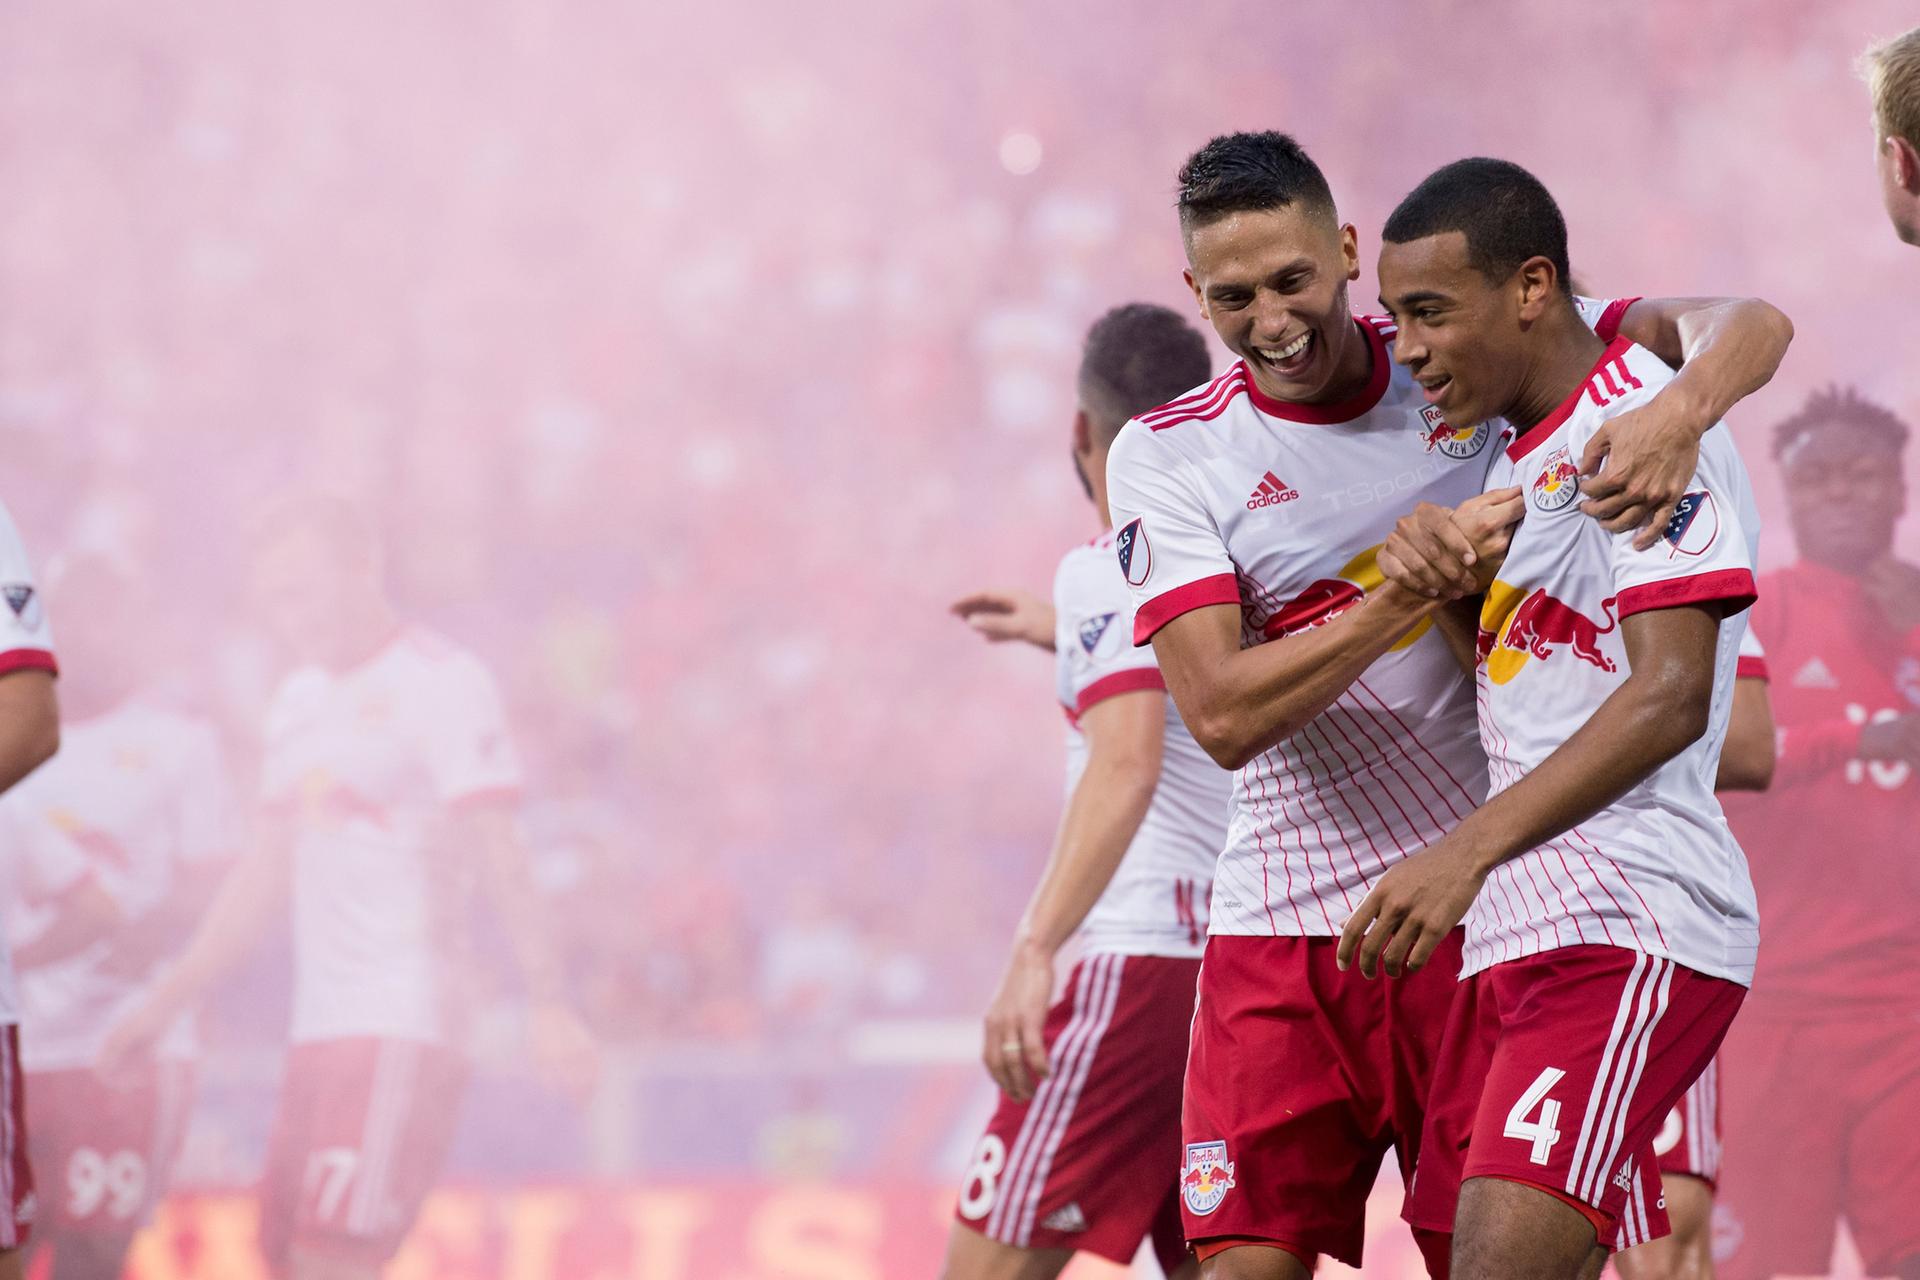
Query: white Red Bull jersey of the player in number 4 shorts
point(1658, 870)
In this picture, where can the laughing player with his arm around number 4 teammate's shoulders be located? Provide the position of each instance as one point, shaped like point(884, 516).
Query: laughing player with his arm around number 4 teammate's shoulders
point(1251, 517)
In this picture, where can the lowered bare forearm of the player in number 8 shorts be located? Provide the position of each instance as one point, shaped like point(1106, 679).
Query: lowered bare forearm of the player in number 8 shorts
point(1095, 832)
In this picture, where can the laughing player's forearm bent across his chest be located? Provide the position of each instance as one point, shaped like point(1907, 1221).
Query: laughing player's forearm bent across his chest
point(1268, 694)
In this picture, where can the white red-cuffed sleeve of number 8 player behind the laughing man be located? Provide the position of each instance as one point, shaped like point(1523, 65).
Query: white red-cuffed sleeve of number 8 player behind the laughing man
point(1093, 632)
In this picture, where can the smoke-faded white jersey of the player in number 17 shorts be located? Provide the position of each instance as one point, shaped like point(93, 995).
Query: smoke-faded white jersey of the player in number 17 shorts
point(368, 765)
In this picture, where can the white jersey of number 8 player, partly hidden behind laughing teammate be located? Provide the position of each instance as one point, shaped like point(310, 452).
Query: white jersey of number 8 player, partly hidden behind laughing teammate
point(1157, 901)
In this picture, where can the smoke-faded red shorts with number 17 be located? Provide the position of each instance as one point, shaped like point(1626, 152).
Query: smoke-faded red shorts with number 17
point(358, 1143)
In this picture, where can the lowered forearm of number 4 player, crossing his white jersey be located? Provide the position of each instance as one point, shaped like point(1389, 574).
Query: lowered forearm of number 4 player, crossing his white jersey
point(1644, 724)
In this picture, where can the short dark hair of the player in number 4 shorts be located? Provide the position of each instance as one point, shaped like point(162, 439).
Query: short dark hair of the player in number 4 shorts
point(1506, 214)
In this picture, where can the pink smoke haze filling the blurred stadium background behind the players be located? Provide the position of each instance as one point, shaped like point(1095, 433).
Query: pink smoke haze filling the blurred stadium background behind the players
point(694, 358)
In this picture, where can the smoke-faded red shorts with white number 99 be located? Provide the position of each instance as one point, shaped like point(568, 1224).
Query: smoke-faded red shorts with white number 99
point(105, 1150)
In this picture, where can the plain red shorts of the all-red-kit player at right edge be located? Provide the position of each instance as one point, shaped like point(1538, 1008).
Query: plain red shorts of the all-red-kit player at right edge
point(1823, 1122)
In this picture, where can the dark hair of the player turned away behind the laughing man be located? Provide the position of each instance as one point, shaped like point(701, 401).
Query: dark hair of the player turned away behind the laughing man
point(1138, 358)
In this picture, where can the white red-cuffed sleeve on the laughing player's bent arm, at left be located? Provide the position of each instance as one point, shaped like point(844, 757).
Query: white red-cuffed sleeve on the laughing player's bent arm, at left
point(1170, 550)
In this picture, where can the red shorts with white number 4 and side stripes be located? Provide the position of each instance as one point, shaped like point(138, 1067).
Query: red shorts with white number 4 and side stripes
point(1558, 1070)
